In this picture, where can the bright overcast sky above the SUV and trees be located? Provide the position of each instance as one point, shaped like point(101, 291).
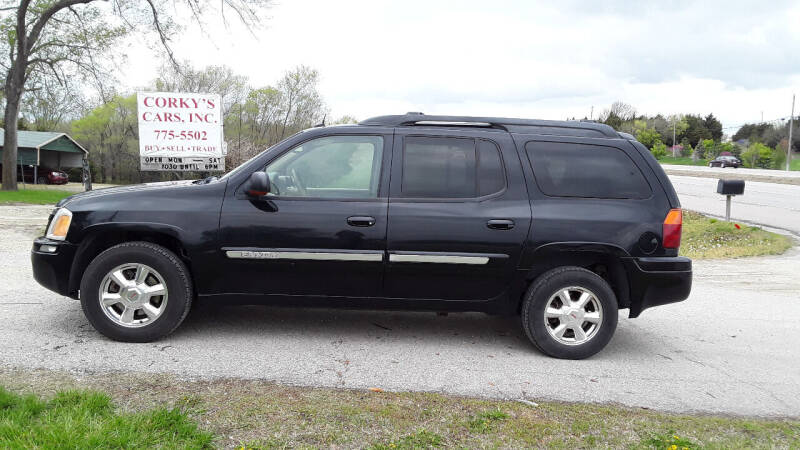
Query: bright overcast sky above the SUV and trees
point(521, 59)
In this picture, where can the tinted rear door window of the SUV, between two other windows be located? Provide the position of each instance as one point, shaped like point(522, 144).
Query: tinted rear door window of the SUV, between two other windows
point(444, 167)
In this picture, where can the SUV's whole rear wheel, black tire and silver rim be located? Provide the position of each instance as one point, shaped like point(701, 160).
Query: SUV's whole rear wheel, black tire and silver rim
point(569, 312)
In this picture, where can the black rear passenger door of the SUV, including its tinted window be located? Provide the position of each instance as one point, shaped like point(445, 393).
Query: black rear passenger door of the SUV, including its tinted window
point(458, 214)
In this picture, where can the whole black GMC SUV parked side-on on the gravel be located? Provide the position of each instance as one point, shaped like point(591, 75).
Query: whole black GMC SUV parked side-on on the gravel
point(562, 223)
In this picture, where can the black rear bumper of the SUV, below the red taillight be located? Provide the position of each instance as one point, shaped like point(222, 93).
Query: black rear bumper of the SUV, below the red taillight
point(658, 281)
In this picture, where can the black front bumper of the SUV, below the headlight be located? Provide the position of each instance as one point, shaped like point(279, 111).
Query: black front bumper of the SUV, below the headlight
point(51, 269)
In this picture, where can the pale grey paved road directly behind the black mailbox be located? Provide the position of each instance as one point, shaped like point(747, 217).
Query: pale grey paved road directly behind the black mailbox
point(775, 205)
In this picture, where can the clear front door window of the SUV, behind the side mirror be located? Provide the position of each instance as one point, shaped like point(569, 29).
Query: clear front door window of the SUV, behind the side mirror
point(329, 167)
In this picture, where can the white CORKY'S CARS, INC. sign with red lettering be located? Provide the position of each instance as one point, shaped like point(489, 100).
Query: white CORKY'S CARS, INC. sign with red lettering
point(180, 131)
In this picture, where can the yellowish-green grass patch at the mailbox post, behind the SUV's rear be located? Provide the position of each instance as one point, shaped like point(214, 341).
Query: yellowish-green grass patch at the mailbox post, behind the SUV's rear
point(707, 238)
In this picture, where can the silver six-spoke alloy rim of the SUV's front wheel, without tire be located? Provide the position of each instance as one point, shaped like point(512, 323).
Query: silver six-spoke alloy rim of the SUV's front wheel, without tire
point(133, 295)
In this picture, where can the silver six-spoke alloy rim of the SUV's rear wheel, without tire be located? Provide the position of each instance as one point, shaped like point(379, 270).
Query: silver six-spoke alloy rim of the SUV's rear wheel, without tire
point(573, 315)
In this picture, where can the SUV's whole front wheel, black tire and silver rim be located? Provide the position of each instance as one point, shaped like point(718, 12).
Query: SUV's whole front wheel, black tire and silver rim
point(136, 292)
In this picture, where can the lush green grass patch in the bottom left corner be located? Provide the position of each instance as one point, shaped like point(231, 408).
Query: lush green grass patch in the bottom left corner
point(85, 419)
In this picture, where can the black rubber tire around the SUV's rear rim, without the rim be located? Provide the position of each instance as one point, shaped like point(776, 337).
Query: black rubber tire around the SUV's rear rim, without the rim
point(539, 294)
